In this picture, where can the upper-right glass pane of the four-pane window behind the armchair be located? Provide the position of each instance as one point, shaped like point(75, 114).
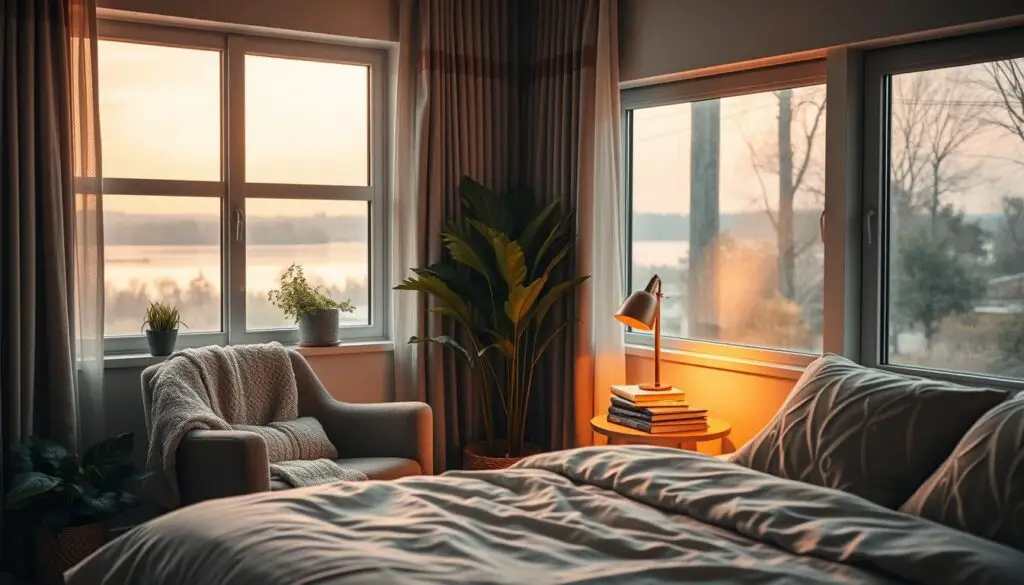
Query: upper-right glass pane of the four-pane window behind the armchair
point(307, 122)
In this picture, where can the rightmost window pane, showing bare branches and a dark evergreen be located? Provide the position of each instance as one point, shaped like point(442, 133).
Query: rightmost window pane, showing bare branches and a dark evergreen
point(956, 271)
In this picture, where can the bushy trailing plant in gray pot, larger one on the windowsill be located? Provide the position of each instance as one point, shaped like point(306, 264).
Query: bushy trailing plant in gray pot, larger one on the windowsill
point(316, 313)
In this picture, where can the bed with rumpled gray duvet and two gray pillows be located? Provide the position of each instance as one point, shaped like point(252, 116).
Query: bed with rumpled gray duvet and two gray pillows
point(816, 497)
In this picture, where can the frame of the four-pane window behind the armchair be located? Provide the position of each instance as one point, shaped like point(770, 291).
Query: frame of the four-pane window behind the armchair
point(233, 191)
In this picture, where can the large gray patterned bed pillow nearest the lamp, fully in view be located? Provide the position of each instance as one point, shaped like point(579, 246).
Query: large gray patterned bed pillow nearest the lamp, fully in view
point(870, 433)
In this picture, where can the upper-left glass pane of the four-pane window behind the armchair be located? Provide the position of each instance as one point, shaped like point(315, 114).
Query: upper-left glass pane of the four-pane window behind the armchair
point(161, 112)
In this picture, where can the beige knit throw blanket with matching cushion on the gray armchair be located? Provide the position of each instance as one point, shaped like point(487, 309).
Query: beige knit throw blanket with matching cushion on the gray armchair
point(243, 388)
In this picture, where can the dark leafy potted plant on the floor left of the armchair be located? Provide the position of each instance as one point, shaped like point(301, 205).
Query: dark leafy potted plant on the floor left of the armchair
point(67, 498)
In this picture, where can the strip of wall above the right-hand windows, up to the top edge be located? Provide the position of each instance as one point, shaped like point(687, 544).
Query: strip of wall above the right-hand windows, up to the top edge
point(667, 37)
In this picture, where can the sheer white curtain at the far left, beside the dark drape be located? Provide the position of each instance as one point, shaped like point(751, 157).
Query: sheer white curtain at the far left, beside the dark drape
point(89, 240)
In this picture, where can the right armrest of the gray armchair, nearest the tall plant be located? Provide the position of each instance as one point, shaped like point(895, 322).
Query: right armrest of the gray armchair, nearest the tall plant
point(388, 430)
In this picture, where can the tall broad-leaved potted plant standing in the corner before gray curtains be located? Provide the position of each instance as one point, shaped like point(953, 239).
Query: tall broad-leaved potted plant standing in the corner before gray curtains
point(499, 289)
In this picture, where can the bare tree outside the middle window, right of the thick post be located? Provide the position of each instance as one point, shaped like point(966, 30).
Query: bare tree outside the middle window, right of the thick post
point(792, 161)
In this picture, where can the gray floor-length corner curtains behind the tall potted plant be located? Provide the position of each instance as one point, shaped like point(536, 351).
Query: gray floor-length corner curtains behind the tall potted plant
point(499, 92)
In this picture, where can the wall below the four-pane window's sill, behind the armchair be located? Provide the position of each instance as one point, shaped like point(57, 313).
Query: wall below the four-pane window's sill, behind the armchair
point(366, 378)
